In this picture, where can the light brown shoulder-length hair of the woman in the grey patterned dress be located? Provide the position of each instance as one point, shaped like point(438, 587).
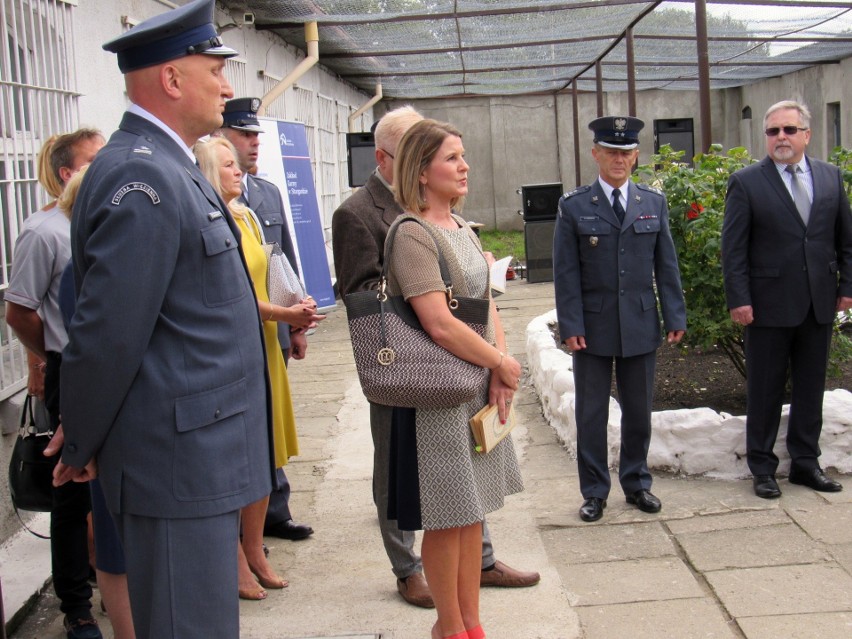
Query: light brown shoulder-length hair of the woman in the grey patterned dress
point(415, 152)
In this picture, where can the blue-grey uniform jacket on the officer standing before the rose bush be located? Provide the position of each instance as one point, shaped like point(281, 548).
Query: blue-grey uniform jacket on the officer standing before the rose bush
point(605, 272)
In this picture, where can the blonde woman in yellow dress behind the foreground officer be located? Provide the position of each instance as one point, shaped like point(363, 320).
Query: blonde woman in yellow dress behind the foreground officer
point(217, 160)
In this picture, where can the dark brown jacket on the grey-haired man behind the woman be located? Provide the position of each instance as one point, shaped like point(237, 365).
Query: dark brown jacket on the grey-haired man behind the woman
point(358, 230)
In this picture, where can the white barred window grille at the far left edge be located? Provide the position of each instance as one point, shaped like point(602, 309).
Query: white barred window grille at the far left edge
point(37, 99)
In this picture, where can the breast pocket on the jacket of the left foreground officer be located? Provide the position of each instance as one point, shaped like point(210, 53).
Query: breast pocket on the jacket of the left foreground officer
point(224, 278)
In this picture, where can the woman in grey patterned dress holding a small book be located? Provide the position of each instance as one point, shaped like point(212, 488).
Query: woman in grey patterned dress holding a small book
point(452, 486)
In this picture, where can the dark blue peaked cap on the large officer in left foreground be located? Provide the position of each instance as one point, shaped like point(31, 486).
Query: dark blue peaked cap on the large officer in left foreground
point(174, 34)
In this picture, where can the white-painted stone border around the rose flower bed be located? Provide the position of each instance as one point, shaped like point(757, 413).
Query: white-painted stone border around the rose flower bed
point(689, 441)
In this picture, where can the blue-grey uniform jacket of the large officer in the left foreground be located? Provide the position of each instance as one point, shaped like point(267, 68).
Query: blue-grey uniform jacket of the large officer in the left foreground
point(164, 377)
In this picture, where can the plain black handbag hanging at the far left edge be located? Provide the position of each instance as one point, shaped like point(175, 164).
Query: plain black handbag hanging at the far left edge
point(30, 472)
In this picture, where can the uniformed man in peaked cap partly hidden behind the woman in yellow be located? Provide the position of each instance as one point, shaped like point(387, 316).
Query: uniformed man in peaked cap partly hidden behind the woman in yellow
point(242, 129)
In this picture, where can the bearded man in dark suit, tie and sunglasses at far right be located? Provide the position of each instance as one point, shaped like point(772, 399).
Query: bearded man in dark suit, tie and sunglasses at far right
point(787, 262)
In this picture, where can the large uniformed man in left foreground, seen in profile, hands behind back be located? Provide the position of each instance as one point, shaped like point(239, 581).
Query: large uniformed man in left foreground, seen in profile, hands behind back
point(163, 381)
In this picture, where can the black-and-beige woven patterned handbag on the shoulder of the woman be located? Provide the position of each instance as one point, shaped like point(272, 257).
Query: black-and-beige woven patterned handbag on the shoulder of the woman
point(398, 364)
